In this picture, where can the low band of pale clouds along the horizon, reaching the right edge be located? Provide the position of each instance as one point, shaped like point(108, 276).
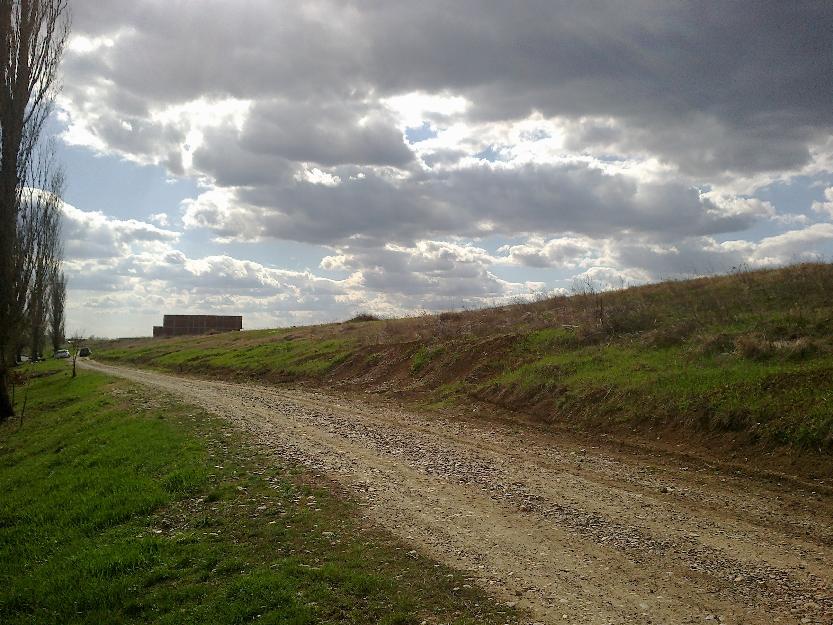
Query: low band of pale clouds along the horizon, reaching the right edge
point(132, 269)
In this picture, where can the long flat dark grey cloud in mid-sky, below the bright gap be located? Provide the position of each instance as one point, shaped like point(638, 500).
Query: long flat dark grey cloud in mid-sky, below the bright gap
point(471, 202)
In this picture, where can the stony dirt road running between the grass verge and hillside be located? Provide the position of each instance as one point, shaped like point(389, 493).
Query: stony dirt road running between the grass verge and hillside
point(574, 535)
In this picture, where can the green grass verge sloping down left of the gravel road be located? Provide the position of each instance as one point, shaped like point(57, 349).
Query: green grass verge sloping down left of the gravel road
point(119, 506)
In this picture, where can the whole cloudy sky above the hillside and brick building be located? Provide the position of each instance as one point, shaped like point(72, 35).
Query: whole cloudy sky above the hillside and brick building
point(300, 162)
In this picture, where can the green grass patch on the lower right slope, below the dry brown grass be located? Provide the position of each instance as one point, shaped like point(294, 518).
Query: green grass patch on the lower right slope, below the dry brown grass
point(790, 402)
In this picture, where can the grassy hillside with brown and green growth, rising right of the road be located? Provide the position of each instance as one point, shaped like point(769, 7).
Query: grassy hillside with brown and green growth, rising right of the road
point(748, 354)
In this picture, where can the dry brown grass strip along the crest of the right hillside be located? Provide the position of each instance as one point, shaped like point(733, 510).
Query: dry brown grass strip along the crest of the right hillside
point(669, 312)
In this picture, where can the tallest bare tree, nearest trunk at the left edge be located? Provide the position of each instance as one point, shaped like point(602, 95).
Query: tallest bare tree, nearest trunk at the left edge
point(32, 38)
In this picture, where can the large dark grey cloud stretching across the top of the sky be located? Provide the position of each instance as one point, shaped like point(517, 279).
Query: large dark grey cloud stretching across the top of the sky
point(713, 87)
